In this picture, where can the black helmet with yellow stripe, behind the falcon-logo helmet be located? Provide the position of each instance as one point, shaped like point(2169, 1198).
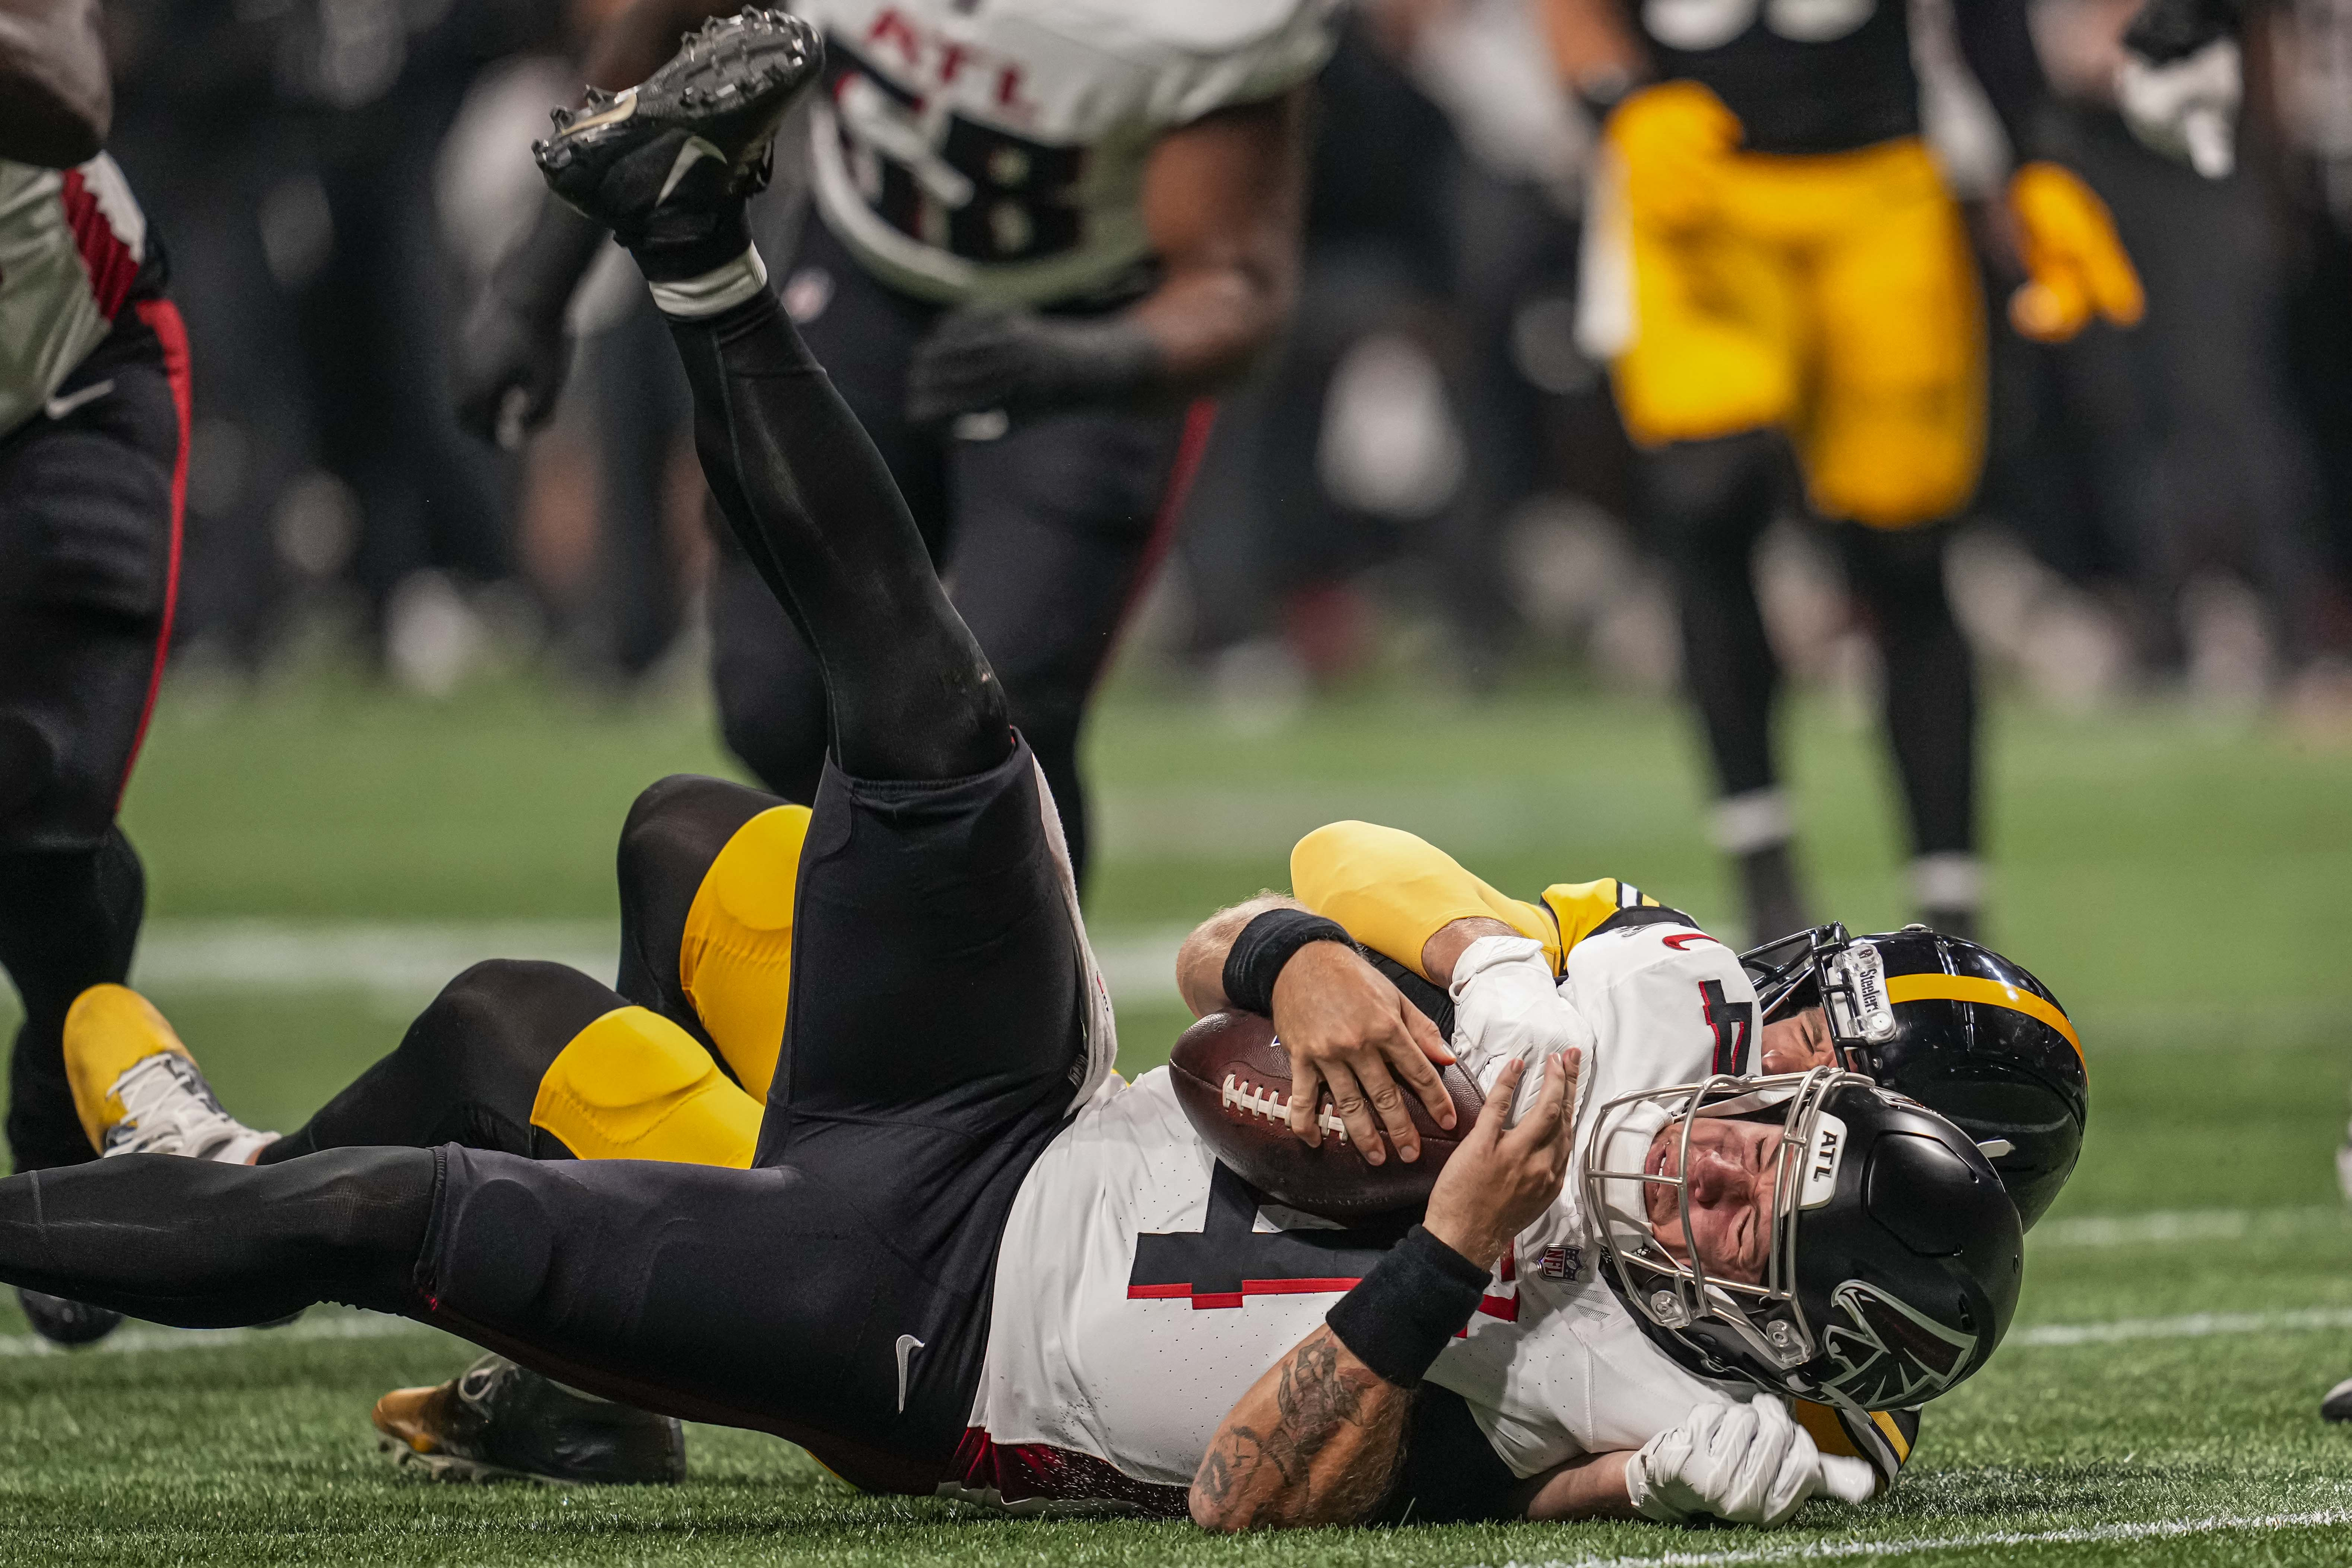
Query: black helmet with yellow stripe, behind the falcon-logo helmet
point(1953, 1026)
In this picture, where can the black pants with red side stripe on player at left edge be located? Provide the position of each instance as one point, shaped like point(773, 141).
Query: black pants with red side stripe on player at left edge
point(91, 511)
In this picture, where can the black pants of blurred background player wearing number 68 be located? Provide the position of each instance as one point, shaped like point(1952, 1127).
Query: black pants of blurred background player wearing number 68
point(1048, 535)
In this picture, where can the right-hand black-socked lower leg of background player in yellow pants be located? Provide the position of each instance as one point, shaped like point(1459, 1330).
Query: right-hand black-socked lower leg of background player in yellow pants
point(1930, 711)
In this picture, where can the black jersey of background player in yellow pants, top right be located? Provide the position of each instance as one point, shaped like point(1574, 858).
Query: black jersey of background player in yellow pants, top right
point(1805, 76)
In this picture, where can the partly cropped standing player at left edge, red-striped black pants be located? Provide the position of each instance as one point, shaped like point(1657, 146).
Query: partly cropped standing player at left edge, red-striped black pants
point(93, 469)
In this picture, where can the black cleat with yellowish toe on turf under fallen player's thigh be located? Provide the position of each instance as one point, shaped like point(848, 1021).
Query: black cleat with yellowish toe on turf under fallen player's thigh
point(505, 1423)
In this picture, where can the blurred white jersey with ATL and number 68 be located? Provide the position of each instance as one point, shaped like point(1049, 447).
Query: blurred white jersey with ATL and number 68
point(994, 149)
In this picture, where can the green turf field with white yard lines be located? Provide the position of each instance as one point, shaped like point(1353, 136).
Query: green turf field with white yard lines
point(2179, 883)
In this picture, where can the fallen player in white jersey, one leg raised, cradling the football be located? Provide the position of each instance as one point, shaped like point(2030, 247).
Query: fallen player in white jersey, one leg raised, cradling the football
point(958, 1259)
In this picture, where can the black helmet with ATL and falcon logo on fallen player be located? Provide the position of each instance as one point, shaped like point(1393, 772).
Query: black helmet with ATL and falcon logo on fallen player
point(1895, 1259)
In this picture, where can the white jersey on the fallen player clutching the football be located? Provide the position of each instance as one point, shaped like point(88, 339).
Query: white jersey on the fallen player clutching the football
point(1142, 1287)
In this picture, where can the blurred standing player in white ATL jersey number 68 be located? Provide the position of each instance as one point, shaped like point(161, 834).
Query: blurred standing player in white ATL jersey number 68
point(1043, 234)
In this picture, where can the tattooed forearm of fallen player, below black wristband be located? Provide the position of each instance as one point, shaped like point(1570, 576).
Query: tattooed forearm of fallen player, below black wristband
point(1316, 1442)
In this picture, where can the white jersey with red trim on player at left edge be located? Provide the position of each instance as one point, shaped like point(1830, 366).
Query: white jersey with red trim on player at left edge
point(72, 243)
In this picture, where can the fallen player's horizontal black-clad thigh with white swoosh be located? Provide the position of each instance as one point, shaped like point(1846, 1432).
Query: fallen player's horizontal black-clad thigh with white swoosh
point(754, 1299)
